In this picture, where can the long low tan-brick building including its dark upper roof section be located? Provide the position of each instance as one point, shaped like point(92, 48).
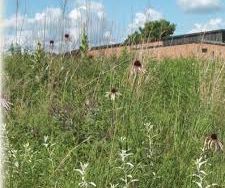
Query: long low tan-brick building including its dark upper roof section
point(209, 44)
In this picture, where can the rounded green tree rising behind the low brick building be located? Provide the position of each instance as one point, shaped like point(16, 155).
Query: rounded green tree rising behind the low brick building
point(152, 31)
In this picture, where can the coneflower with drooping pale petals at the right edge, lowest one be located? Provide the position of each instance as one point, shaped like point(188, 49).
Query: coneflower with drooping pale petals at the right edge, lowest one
point(212, 142)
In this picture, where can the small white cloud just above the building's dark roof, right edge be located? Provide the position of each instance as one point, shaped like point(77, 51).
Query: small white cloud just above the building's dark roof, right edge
point(212, 24)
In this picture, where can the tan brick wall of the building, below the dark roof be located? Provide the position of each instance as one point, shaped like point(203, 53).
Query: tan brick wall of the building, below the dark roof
point(201, 50)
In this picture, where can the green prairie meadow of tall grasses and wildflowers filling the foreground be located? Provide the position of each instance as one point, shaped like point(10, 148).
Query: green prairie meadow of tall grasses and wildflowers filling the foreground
point(101, 122)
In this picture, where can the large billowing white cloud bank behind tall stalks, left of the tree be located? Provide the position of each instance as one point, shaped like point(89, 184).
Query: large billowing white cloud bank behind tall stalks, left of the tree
point(49, 25)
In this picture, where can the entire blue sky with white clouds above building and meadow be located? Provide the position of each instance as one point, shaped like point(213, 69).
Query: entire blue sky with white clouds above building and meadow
point(106, 21)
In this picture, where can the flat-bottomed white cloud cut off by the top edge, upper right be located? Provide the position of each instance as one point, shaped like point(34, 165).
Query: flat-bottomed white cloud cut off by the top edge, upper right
point(200, 5)
